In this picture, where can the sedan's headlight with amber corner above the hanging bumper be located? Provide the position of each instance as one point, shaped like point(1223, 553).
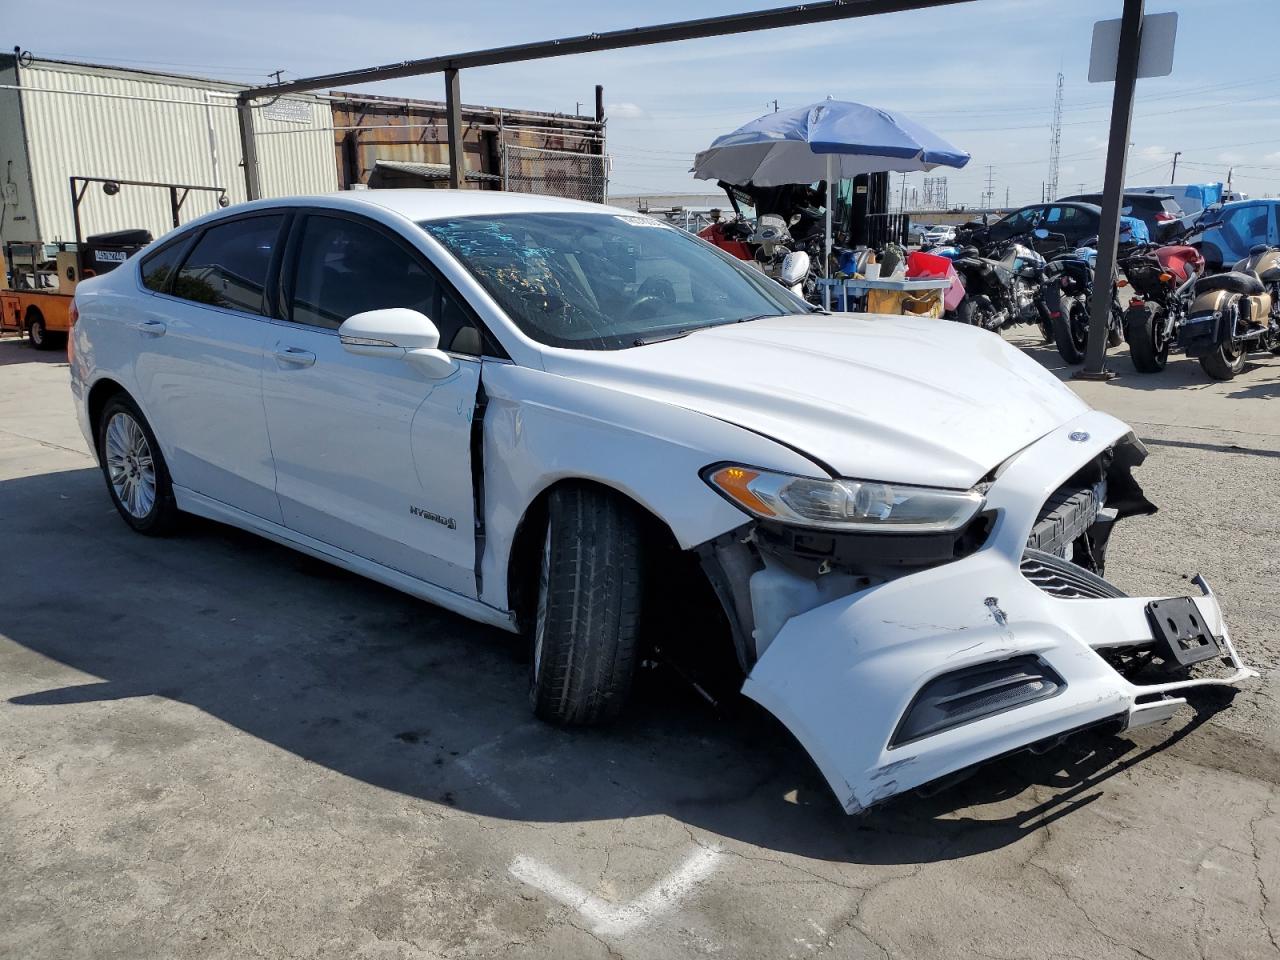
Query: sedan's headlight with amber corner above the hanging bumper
point(856, 506)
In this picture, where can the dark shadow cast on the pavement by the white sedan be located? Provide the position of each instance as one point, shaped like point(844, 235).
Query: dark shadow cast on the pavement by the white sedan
point(401, 696)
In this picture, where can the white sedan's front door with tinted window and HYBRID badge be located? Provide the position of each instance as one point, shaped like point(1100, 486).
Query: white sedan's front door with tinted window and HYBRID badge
point(371, 455)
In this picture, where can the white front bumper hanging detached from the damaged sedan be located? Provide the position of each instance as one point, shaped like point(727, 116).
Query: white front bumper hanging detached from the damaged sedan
point(844, 676)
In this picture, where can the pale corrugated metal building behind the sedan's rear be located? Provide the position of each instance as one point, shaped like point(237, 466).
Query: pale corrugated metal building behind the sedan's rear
point(61, 120)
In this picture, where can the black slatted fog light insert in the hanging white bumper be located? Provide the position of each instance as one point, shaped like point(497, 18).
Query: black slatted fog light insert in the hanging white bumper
point(973, 693)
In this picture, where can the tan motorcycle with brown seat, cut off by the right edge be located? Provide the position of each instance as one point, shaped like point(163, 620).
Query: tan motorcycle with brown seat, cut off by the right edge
point(1235, 313)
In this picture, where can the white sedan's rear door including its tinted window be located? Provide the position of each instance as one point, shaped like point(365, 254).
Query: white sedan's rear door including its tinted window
point(200, 358)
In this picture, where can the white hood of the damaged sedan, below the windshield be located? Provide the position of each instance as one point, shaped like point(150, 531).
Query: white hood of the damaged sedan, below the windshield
point(903, 400)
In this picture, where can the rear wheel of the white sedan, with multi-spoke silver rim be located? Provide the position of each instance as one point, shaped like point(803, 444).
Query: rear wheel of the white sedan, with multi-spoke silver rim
point(138, 478)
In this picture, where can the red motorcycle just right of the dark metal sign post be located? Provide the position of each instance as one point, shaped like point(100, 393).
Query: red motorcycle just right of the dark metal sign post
point(1162, 280)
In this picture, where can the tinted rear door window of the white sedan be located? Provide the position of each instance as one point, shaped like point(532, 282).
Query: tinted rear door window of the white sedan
point(228, 266)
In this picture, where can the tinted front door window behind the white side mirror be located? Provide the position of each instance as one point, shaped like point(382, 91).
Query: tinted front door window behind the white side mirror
point(346, 268)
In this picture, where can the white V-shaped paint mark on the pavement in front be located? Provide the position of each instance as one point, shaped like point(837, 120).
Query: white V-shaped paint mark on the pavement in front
point(619, 920)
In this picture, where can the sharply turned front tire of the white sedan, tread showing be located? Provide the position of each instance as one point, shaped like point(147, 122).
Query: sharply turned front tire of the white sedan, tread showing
point(586, 637)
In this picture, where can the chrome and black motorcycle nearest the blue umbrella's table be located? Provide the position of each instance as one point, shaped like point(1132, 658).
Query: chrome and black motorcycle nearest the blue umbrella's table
point(1002, 290)
